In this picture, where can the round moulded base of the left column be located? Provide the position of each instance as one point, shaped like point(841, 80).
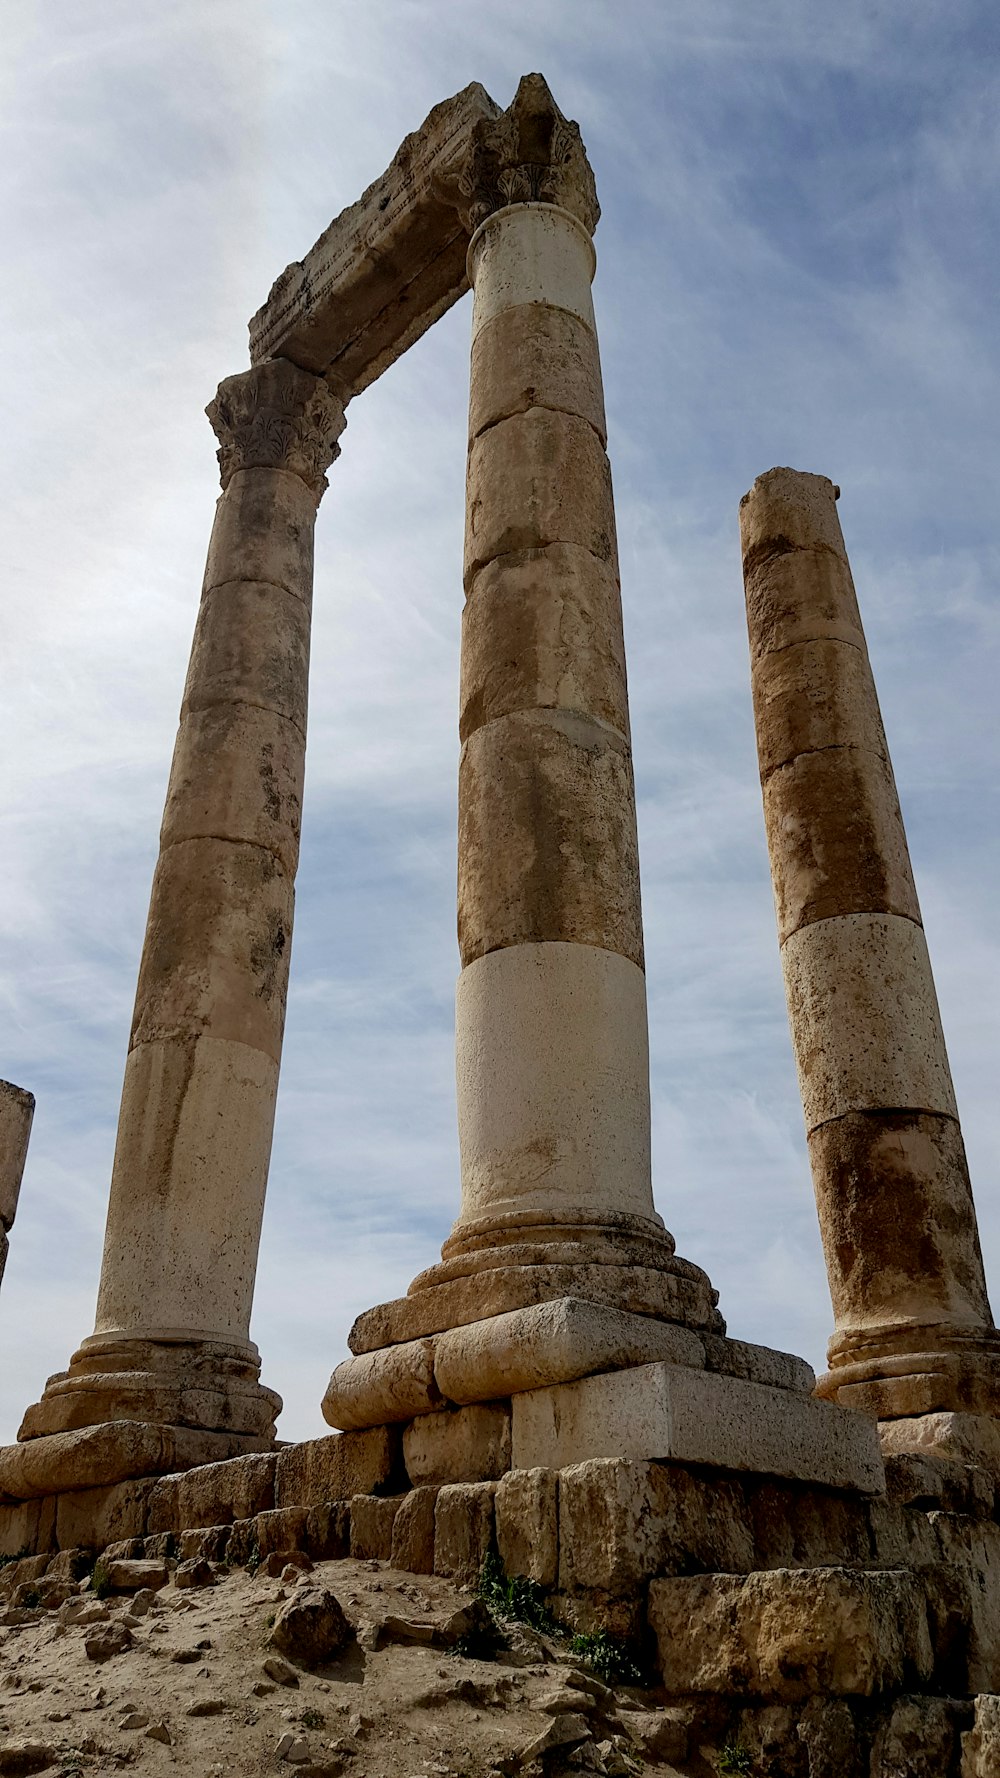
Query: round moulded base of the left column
point(163, 1381)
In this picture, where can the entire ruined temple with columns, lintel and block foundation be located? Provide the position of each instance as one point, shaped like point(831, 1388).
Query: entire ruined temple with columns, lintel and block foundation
point(818, 1564)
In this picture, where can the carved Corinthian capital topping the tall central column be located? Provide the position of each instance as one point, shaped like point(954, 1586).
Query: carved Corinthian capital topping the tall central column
point(531, 154)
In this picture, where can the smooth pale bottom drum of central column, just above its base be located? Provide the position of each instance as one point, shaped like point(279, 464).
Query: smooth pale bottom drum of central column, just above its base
point(554, 1082)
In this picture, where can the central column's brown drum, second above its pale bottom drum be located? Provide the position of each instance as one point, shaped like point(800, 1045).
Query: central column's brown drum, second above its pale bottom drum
point(542, 630)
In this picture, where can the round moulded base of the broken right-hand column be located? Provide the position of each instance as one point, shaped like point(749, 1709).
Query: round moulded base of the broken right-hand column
point(915, 1370)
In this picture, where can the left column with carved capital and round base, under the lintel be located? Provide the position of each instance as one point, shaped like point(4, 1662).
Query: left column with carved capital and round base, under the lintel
point(172, 1342)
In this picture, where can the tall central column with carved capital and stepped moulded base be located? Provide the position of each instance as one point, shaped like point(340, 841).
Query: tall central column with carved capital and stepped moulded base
point(558, 1265)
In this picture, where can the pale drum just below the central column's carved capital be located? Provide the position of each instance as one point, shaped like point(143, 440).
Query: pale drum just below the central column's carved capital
point(531, 253)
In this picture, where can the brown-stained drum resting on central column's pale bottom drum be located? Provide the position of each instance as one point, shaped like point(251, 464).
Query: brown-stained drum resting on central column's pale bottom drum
point(528, 783)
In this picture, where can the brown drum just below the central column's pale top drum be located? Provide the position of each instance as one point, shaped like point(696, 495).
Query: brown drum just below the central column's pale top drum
point(535, 355)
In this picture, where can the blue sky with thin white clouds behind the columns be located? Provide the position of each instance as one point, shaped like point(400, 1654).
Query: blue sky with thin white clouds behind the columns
point(796, 266)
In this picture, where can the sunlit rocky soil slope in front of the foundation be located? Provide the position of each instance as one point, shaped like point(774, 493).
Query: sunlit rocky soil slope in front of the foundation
point(341, 1669)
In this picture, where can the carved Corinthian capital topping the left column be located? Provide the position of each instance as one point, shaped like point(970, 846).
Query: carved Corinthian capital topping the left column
point(277, 417)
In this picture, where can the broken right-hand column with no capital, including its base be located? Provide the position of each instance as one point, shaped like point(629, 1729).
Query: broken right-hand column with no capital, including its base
point(914, 1331)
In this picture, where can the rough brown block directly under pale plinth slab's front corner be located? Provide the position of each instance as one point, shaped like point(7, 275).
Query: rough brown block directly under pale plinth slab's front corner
point(625, 1521)
